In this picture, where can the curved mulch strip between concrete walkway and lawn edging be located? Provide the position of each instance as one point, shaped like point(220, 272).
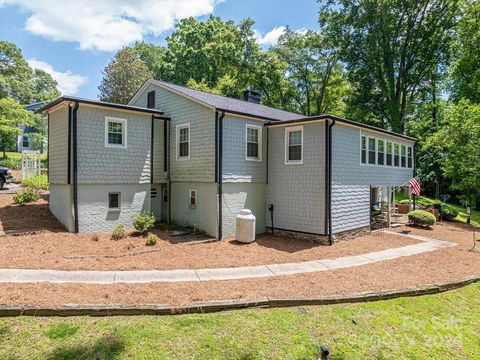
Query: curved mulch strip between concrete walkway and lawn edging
point(442, 265)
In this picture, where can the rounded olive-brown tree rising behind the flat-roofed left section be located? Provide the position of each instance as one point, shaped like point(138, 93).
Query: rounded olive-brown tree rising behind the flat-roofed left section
point(123, 76)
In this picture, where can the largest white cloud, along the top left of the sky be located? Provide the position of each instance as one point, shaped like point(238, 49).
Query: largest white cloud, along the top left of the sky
point(107, 25)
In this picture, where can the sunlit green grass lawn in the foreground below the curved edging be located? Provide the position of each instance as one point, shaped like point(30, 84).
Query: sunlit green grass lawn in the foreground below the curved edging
point(442, 326)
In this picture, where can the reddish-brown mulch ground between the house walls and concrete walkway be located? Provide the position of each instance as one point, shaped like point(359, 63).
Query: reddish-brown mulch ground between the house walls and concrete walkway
point(54, 248)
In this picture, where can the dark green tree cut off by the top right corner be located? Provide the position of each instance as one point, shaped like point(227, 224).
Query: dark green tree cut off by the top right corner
point(466, 68)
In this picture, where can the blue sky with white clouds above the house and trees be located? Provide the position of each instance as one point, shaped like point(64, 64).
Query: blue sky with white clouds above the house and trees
point(74, 41)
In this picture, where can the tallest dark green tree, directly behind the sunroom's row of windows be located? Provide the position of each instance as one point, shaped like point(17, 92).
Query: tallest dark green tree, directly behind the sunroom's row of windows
point(391, 48)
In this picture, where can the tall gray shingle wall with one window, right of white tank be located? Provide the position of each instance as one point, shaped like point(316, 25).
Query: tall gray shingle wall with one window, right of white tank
point(297, 191)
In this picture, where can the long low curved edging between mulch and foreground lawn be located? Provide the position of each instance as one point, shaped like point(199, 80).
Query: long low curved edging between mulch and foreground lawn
point(223, 305)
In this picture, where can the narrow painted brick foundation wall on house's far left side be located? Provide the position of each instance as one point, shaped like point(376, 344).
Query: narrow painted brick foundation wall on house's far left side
point(61, 204)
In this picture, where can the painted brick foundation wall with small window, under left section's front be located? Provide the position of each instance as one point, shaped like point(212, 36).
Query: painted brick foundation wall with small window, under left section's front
point(94, 214)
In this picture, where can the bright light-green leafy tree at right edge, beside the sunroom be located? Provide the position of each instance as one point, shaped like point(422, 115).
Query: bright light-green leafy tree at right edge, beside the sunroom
point(459, 143)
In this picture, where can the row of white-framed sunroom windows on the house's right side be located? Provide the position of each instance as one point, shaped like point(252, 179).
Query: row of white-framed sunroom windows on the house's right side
point(376, 151)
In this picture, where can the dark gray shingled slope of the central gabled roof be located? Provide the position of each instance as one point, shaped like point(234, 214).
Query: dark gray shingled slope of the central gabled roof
point(227, 104)
